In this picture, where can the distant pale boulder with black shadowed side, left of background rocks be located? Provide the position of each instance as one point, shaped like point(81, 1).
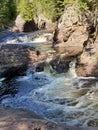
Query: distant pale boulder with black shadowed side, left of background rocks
point(23, 25)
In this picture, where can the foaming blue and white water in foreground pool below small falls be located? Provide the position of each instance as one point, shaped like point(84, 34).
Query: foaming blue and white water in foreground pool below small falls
point(62, 98)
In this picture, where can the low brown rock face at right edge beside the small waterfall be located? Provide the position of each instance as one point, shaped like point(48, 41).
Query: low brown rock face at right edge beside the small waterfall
point(87, 64)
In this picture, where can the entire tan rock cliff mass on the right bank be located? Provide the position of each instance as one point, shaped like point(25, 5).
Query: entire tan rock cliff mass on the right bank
point(75, 35)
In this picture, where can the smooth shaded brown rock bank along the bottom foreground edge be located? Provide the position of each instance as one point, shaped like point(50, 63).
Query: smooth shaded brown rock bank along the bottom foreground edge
point(21, 119)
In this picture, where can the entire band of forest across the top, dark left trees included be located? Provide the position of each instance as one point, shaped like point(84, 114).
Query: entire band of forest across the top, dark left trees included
point(52, 9)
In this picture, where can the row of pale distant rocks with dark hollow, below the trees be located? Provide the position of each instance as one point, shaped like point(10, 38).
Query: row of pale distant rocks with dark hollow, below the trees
point(39, 22)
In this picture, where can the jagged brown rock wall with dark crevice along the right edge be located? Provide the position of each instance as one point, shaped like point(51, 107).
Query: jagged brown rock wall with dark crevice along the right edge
point(87, 61)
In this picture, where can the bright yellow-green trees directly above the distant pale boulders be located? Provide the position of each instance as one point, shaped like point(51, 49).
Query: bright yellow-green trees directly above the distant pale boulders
point(29, 9)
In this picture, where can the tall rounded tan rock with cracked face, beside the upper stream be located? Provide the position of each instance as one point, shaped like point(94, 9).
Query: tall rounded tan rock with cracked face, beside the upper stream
point(70, 32)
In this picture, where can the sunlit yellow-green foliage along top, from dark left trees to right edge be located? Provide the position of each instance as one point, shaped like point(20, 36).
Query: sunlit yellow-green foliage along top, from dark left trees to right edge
point(52, 9)
